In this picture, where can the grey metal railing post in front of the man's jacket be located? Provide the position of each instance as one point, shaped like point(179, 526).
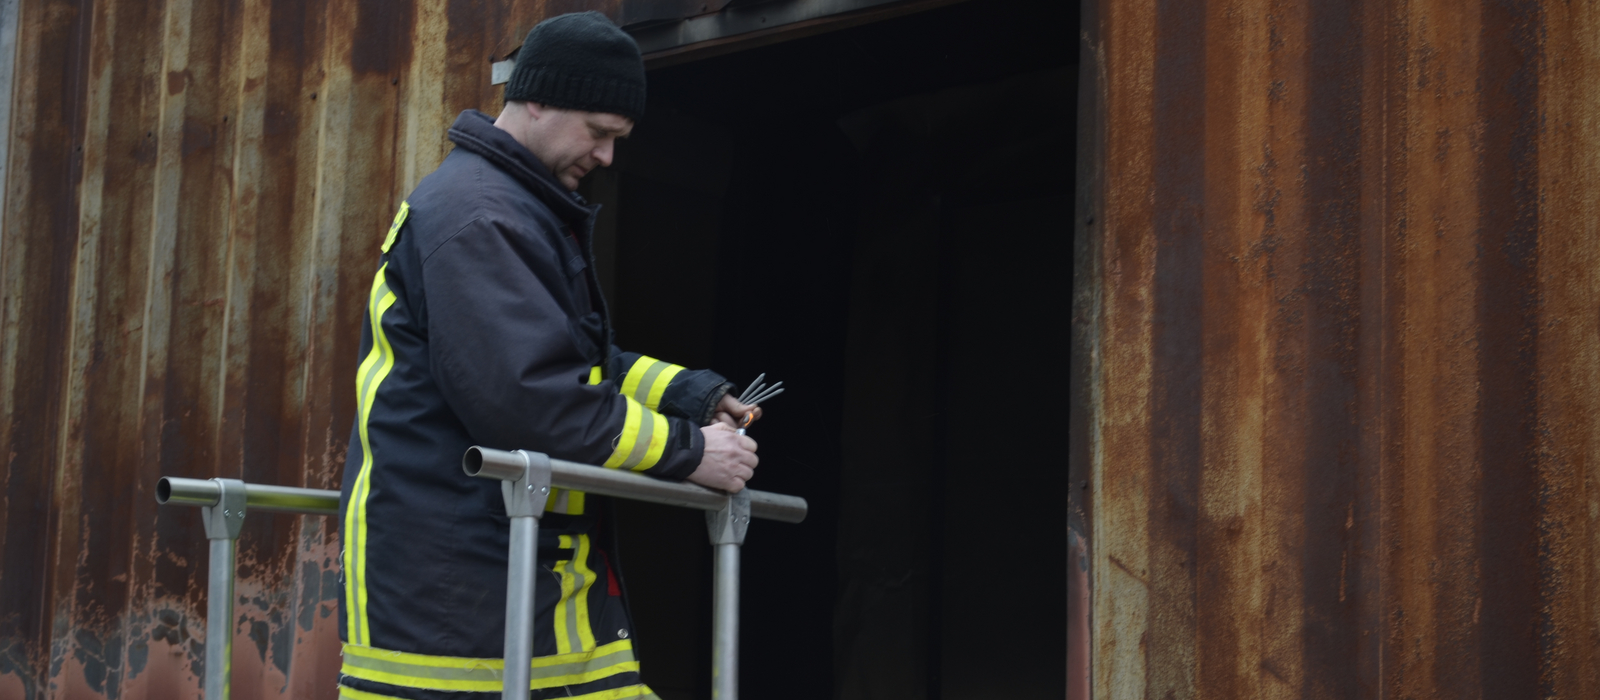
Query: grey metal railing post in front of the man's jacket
point(524, 504)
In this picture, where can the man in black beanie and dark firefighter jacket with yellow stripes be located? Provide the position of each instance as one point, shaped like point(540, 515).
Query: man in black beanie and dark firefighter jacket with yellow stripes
point(486, 327)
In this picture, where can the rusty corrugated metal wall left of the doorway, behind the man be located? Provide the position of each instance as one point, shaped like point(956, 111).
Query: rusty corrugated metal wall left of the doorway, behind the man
point(193, 207)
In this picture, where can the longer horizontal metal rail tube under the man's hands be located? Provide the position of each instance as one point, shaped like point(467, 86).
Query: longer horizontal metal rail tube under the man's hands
point(631, 485)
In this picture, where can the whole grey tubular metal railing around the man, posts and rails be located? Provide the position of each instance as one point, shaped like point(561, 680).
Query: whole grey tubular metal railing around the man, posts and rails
point(527, 480)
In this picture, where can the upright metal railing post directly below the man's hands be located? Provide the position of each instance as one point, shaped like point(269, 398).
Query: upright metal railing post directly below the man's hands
point(727, 535)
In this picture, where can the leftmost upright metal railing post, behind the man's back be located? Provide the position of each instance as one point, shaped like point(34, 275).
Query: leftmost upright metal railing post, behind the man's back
point(223, 523)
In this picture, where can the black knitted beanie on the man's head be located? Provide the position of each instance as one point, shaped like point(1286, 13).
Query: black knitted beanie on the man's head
point(580, 62)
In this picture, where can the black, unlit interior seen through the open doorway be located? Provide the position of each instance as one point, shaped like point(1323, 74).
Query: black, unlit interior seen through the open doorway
point(881, 218)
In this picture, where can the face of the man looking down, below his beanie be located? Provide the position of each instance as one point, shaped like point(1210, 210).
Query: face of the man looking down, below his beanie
point(574, 143)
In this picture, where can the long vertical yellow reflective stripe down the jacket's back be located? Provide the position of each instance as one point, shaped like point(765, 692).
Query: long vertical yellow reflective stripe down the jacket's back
point(380, 360)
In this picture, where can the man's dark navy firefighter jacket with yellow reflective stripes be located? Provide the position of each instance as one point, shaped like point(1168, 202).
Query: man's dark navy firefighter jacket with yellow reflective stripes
point(486, 327)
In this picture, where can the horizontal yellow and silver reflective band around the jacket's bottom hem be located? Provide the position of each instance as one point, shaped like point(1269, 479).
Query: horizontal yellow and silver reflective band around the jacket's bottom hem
point(484, 675)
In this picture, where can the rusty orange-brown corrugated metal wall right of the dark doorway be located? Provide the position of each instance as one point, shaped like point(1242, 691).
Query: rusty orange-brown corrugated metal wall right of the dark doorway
point(1345, 328)
